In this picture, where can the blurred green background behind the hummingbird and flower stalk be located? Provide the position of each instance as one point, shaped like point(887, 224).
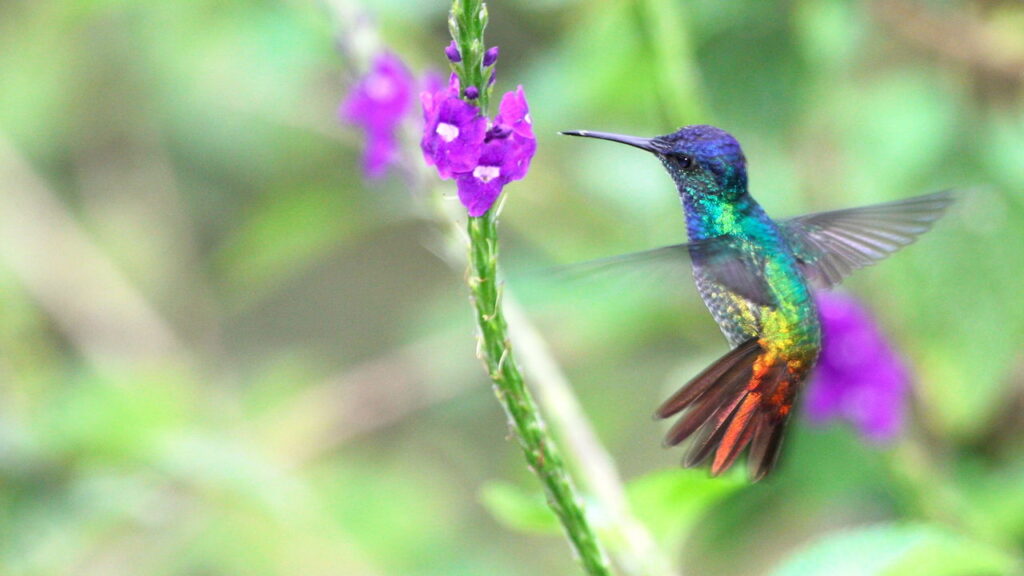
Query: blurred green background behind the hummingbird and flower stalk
point(223, 353)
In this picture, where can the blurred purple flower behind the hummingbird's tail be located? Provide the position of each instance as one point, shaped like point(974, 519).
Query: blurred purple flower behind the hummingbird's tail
point(860, 378)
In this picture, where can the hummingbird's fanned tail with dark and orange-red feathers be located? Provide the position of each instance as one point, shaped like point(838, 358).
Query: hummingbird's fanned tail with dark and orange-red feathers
point(743, 399)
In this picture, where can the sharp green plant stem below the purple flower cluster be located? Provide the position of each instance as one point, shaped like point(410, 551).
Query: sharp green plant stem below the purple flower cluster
point(542, 455)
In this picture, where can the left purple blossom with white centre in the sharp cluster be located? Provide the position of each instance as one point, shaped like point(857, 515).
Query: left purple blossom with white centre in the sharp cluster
point(453, 133)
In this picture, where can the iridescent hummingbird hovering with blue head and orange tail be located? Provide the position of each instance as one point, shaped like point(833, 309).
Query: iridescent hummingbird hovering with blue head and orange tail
point(757, 277)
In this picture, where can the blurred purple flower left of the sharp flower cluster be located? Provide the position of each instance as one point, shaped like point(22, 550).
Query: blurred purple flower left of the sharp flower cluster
point(378, 103)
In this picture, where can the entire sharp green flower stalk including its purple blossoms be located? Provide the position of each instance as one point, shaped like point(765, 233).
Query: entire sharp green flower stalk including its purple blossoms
point(483, 157)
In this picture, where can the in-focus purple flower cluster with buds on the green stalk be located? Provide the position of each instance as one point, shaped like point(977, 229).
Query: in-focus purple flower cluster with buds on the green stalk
point(482, 155)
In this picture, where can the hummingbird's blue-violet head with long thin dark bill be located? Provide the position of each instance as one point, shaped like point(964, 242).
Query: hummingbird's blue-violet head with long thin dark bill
point(702, 159)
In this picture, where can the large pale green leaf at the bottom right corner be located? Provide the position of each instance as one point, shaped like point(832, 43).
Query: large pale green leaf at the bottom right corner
point(897, 550)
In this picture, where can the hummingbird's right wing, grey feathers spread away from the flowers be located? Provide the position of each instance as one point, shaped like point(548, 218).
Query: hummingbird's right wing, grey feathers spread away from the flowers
point(831, 245)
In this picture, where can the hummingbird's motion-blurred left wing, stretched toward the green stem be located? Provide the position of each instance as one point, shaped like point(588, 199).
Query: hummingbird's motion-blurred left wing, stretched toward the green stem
point(721, 259)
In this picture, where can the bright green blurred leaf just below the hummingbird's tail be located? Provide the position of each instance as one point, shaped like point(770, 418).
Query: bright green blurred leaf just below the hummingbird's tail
point(671, 503)
